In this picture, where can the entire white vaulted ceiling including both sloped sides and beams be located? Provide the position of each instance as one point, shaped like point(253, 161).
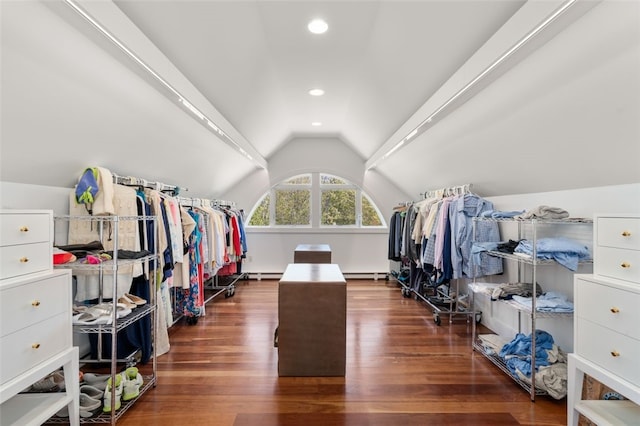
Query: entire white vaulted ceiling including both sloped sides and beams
point(427, 93)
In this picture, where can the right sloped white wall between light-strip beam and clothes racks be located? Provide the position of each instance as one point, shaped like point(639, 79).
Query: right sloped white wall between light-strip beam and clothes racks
point(566, 117)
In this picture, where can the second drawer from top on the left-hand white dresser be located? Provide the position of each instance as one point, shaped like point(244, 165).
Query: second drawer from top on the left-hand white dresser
point(25, 259)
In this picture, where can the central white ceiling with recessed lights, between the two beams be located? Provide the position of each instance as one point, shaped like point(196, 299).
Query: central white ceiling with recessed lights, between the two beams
point(378, 63)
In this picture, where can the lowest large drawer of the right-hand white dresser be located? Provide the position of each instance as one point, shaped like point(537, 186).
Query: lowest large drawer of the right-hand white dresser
point(612, 351)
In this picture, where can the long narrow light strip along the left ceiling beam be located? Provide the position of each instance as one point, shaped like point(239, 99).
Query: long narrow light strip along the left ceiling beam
point(150, 70)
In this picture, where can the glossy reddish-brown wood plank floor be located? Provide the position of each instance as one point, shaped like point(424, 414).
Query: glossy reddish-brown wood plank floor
point(402, 369)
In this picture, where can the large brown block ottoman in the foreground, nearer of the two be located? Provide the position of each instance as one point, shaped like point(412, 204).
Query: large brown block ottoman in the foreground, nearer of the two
point(312, 317)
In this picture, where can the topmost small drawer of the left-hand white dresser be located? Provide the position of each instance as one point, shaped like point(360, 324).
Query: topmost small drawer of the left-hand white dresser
point(25, 228)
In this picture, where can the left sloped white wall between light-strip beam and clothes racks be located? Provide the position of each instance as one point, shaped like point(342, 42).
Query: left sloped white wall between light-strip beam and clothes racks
point(69, 102)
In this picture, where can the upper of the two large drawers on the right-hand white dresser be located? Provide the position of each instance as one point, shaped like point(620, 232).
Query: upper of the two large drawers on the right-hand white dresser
point(611, 307)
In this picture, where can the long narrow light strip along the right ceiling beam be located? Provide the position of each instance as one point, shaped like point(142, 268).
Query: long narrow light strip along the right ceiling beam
point(485, 72)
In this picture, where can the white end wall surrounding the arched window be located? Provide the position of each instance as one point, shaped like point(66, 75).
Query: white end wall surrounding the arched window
point(356, 251)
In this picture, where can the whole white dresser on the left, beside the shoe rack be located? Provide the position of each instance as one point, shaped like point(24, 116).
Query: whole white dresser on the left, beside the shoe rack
point(35, 321)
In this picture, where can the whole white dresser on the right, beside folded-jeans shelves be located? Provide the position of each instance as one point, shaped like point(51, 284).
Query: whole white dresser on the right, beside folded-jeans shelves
point(606, 324)
